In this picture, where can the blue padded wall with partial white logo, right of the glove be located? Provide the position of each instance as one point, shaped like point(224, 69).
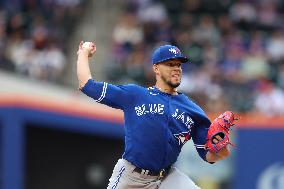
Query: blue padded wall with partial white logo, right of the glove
point(260, 158)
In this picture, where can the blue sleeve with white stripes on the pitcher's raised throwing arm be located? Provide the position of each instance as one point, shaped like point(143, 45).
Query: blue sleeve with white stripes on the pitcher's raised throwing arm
point(115, 96)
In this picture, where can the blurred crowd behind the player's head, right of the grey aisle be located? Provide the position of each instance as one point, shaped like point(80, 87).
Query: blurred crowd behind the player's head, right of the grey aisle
point(236, 48)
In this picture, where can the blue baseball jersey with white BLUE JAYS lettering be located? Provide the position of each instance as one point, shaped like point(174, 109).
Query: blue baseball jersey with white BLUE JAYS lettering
point(157, 124)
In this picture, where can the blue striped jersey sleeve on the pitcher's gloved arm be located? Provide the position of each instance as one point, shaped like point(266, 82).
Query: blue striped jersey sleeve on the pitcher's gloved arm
point(199, 135)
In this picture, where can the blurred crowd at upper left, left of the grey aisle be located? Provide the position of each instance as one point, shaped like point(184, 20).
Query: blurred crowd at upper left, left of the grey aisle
point(33, 35)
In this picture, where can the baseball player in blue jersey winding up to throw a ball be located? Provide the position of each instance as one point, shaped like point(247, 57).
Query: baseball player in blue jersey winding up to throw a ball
point(159, 120)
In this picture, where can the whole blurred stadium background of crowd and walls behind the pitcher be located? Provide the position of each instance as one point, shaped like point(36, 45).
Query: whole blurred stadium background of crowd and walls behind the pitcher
point(54, 137)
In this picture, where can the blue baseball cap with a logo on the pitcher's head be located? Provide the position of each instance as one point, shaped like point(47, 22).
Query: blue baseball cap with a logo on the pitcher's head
point(167, 52)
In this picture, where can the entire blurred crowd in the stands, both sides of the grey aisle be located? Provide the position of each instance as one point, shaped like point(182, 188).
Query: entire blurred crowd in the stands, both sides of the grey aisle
point(236, 47)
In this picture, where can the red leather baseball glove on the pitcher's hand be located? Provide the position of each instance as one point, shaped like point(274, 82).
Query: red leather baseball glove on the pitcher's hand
point(218, 136)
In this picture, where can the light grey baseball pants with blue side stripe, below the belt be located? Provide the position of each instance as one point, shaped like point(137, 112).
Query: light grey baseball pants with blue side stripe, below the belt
point(123, 177)
